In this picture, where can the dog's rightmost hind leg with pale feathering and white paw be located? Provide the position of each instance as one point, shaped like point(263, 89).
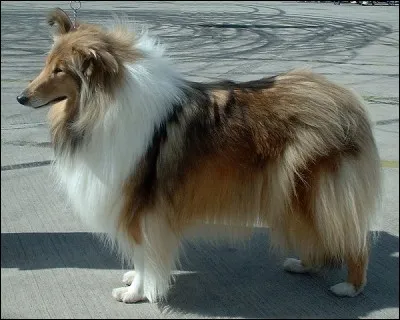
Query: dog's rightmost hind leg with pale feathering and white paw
point(346, 206)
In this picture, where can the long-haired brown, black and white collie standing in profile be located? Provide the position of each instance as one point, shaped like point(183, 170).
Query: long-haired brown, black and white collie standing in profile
point(146, 155)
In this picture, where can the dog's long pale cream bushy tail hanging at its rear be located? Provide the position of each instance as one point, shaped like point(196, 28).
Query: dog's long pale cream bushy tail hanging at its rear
point(347, 202)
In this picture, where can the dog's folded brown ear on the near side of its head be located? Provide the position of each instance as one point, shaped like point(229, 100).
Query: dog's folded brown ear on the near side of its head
point(101, 58)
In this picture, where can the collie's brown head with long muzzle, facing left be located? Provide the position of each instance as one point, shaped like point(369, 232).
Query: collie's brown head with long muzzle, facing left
point(82, 56)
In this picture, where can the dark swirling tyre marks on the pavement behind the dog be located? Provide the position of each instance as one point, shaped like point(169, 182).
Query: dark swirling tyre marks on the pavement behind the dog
point(245, 34)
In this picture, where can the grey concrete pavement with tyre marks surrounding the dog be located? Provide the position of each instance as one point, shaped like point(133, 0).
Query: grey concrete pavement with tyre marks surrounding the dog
point(52, 267)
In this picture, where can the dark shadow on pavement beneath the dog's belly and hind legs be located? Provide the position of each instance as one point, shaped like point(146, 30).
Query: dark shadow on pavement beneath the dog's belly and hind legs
point(249, 282)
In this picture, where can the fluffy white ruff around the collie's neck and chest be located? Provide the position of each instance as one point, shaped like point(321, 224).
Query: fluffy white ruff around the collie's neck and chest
point(94, 175)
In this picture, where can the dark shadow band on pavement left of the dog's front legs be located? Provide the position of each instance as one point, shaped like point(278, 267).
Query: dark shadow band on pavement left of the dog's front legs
point(33, 251)
